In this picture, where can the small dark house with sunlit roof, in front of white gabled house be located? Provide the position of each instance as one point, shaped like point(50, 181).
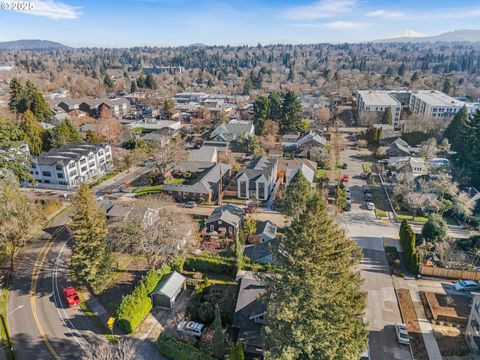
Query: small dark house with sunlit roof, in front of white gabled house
point(225, 219)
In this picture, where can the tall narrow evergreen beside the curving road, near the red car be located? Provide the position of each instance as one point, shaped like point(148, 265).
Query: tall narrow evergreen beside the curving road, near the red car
point(90, 257)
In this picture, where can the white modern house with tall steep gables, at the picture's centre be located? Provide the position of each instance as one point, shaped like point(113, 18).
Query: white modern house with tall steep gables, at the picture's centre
point(258, 179)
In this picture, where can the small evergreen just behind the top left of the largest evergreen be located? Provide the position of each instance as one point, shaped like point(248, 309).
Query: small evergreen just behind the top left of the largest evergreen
point(293, 202)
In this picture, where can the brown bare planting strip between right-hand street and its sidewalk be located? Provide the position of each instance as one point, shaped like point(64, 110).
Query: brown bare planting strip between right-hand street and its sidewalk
point(410, 319)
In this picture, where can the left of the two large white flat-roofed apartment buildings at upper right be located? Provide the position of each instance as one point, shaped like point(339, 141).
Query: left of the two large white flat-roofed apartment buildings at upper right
point(371, 105)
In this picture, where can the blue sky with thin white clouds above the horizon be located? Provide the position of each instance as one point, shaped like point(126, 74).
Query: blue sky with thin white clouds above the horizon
point(127, 23)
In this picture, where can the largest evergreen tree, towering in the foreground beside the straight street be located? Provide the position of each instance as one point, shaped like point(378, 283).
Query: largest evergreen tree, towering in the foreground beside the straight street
point(315, 305)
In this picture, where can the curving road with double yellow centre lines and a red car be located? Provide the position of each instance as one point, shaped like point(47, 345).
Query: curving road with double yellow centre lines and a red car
point(41, 326)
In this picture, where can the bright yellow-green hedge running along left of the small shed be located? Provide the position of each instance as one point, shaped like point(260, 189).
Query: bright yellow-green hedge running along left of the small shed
point(135, 307)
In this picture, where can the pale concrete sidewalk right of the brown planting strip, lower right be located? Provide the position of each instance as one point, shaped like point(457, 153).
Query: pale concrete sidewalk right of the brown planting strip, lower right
point(427, 331)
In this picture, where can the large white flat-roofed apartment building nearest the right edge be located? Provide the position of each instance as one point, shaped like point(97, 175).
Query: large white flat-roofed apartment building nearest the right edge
point(436, 105)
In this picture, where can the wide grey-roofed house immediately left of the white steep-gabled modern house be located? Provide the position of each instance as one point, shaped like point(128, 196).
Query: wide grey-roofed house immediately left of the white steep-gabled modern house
point(202, 180)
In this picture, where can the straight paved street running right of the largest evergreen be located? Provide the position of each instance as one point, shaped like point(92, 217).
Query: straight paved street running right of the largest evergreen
point(382, 310)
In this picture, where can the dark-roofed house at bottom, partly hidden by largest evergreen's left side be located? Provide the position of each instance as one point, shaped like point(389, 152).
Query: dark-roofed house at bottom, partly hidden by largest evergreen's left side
point(249, 316)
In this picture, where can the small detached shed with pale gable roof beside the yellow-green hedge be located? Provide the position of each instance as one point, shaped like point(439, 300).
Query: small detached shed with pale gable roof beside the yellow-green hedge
point(168, 290)
